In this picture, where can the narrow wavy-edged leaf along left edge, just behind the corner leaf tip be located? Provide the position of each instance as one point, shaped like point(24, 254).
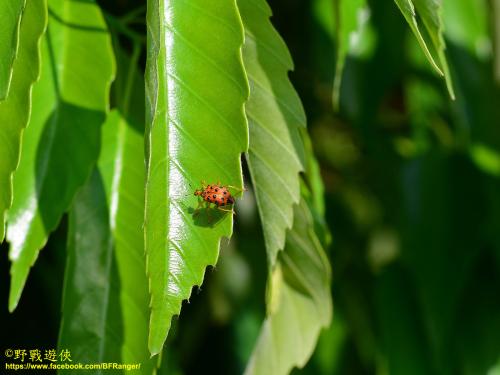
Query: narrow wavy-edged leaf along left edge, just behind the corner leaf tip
point(15, 109)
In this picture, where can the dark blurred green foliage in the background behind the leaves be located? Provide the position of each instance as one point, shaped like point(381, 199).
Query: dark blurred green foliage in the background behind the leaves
point(412, 200)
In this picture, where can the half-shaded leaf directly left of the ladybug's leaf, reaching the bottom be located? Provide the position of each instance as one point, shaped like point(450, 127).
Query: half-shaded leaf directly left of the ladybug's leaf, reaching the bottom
point(106, 299)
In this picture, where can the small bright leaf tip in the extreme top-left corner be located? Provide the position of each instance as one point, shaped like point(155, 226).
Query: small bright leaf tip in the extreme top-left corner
point(10, 21)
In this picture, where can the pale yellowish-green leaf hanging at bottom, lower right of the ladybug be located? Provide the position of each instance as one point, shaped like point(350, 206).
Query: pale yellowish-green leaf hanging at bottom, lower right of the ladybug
point(300, 301)
